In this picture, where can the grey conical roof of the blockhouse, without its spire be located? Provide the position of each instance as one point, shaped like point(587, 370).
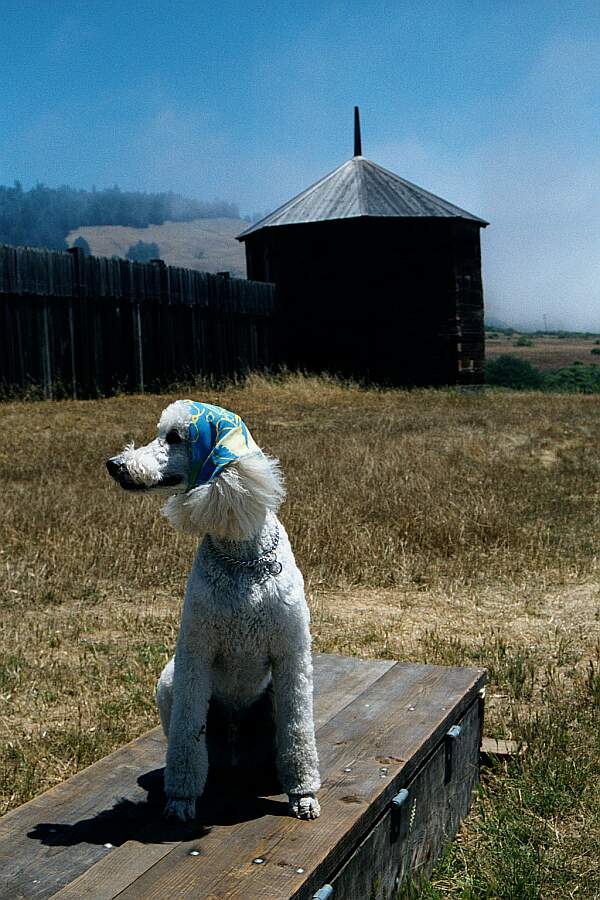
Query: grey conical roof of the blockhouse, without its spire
point(358, 188)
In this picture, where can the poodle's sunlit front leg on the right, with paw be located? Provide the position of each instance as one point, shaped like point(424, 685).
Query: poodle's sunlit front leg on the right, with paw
point(297, 760)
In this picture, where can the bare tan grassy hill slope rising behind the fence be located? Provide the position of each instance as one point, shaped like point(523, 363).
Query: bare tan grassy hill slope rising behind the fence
point(205, 244)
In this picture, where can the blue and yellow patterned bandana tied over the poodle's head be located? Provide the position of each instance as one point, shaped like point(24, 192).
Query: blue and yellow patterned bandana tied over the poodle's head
point(216, 437)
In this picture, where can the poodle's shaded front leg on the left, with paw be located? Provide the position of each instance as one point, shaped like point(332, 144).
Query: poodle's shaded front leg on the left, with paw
point(187, 757)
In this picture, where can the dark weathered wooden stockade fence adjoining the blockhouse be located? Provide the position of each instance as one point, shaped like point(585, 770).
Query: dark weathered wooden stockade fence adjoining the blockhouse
point(86, 326)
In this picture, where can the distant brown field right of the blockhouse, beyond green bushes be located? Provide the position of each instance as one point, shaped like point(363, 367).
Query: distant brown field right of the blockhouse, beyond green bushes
point(547, 351)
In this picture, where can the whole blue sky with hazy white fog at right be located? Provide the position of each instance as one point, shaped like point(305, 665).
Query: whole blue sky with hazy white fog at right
point(493, 105)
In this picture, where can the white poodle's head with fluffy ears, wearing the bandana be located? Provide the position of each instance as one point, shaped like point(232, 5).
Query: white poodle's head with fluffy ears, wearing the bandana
point(219, 480)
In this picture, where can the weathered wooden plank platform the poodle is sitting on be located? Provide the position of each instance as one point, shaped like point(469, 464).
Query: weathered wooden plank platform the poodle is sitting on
point(385, 730)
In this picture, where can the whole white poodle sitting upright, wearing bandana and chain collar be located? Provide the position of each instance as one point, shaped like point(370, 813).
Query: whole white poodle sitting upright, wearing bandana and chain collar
point(244, 642)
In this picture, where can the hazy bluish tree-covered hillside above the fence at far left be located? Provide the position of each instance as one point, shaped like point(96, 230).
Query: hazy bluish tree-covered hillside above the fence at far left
point(43, 216)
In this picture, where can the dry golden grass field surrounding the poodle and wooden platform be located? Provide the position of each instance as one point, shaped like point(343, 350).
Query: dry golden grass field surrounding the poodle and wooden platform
point(430, 525)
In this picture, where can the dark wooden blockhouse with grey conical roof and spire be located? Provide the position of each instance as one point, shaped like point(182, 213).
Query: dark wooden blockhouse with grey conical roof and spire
point(376, 278)
